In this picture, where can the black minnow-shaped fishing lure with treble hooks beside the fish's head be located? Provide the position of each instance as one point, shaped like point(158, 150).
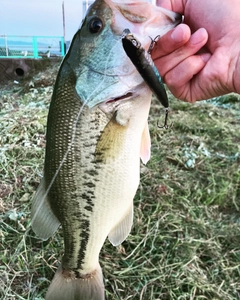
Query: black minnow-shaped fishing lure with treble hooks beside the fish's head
point(144, 64)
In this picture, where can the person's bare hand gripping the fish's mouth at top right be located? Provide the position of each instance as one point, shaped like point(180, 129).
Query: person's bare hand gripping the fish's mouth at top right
point(200, 59)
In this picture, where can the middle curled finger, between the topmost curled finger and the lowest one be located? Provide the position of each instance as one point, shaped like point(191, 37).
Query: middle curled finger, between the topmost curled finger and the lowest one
point(170, 61)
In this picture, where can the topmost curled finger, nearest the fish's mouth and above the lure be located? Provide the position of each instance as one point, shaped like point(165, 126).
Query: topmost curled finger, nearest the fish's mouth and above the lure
point(171, 41)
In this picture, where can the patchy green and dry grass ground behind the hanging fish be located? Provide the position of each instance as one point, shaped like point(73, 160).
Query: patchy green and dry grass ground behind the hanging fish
point(185, 242)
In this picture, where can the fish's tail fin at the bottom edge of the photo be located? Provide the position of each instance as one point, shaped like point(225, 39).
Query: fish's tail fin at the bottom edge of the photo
point(66, 288)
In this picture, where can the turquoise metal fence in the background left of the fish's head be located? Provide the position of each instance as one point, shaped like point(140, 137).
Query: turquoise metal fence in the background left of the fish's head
point(31, 46)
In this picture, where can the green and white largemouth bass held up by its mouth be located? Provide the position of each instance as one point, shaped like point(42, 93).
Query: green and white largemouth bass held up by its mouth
point(97, 131)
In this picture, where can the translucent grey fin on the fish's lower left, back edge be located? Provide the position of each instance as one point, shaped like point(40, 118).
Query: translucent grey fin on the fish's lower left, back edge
point(44, 222)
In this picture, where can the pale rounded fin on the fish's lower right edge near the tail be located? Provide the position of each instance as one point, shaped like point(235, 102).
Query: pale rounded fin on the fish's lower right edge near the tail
point(120, 232)
